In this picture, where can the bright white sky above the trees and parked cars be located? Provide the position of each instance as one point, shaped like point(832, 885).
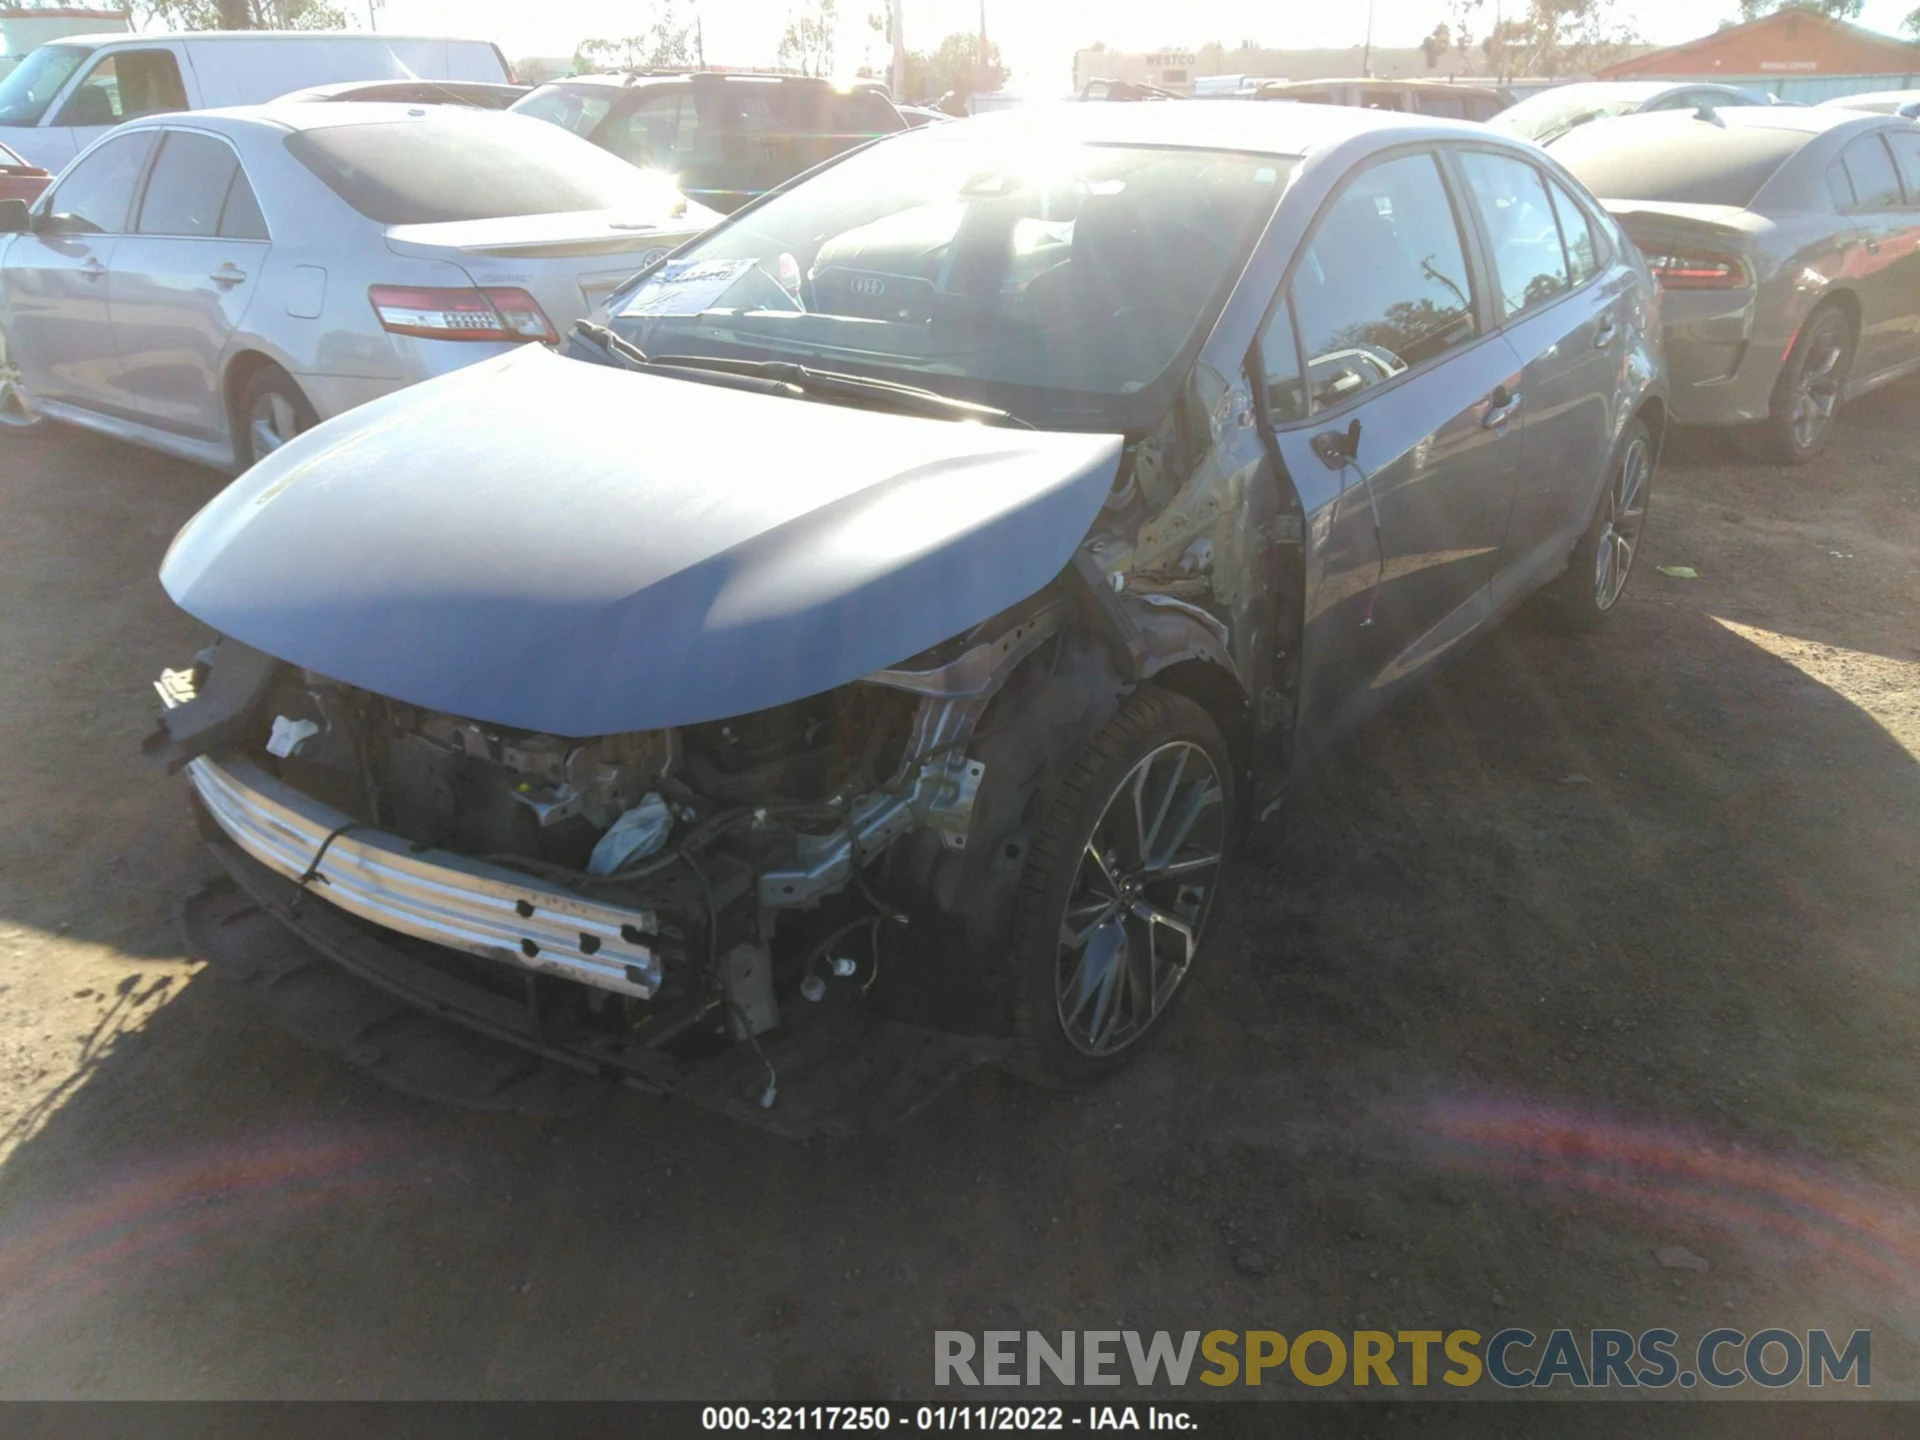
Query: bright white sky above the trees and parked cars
point(1038, 37)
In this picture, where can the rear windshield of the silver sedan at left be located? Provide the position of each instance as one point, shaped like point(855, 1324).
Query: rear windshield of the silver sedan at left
point(469, 166)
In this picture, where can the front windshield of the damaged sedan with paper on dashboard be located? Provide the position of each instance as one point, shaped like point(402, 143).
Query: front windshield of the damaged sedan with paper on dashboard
point(992, 268)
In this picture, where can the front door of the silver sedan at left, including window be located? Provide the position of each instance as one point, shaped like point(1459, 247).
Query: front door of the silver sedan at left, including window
point(57, 277)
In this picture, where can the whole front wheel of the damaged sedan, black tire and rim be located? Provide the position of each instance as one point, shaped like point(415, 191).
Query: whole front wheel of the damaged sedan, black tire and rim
point(1149, 917)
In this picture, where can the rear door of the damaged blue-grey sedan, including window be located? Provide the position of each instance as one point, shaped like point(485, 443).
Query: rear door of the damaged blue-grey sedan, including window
point(1570, 333)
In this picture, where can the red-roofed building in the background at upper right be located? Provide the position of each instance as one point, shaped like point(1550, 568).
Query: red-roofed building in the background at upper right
point(1796, 55)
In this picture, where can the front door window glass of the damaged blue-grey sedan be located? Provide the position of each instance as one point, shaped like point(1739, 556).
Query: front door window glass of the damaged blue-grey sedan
point(1383, 285)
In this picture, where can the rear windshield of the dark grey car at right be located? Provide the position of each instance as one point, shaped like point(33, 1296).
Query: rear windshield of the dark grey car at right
point(1677, 162)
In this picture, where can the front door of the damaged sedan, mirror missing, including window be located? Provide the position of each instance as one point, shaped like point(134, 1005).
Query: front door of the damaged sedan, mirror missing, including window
point(1393, 341)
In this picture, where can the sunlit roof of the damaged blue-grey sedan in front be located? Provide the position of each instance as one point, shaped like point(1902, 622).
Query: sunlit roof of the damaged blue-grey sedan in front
point(1268, 130)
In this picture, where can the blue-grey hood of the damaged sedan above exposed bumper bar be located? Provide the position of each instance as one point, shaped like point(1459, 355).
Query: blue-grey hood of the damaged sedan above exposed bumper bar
point(569, 548)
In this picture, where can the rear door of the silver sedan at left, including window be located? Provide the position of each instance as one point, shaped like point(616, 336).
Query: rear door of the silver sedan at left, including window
point(183, 279)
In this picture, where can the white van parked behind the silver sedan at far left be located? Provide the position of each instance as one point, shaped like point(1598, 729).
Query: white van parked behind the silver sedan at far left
point(70, 93)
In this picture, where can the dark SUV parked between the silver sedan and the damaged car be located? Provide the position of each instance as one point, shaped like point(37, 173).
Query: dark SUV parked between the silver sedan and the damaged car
point(727, 139)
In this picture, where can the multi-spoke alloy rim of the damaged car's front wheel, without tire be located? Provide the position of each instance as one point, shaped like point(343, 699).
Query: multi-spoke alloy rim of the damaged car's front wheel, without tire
point(1140, 900)
